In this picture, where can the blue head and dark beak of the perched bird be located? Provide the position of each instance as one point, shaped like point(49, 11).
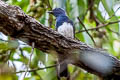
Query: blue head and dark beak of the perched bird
point(57, 12)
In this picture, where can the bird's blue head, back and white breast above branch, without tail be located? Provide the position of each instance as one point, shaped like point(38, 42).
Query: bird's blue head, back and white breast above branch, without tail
point(63, 24)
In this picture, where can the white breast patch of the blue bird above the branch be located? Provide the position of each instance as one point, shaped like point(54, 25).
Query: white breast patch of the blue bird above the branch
point(66, 29)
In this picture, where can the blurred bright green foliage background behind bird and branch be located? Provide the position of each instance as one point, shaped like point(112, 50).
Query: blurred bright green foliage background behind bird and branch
point(92, 13)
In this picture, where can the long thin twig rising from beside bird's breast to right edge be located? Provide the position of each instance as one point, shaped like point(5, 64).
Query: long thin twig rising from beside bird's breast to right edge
point(99, 26)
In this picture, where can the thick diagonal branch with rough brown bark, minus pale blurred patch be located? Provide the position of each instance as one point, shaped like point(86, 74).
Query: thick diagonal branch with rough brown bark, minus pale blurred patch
point(15, 23)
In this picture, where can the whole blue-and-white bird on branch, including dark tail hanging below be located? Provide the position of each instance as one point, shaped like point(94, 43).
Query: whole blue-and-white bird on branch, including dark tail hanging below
point(65, 27)
